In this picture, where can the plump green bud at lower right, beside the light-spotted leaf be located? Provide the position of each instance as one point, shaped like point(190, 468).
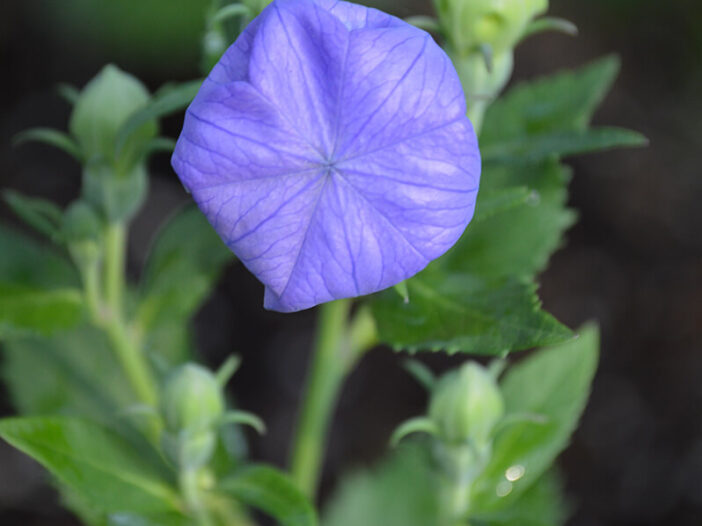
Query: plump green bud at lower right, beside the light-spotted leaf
point(466, 405)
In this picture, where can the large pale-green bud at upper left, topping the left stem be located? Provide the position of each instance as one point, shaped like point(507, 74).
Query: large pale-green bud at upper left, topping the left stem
point(104, 105)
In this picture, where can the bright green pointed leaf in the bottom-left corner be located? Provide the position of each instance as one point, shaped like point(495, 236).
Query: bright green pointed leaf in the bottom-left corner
point(94, 462)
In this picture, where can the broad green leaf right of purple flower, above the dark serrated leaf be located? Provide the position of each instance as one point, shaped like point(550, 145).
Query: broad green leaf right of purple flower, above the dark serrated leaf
point(519, 240)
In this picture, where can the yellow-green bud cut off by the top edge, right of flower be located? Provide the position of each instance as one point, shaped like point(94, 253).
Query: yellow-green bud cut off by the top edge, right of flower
point(499, 24)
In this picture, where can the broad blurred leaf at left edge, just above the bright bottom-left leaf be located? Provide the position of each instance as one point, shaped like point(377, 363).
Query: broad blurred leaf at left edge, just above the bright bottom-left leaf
point(73, 373)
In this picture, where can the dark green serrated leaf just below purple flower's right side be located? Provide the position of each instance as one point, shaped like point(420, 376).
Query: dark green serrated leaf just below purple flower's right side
point(460, 312)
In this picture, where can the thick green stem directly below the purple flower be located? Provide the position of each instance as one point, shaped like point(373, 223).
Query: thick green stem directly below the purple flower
point(328, 369)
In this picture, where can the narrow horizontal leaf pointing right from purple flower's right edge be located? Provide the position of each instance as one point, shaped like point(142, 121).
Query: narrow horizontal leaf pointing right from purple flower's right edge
point(562, 143)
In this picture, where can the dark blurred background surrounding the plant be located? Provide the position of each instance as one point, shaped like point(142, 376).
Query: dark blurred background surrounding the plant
point(633, 262)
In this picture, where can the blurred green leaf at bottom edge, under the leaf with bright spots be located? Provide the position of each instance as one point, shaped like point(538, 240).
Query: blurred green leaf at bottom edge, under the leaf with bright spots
point(542, 504)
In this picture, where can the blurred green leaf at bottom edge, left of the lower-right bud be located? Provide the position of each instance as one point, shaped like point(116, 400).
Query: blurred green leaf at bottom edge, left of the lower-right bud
point(401, 491)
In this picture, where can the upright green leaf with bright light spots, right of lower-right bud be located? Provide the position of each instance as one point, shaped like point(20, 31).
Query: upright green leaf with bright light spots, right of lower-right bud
point(552, 382)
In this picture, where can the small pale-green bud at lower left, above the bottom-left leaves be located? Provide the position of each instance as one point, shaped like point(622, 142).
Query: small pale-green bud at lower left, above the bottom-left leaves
point(192, 400)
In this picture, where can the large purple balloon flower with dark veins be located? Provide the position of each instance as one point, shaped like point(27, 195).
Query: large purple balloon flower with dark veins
point(330, 150)
